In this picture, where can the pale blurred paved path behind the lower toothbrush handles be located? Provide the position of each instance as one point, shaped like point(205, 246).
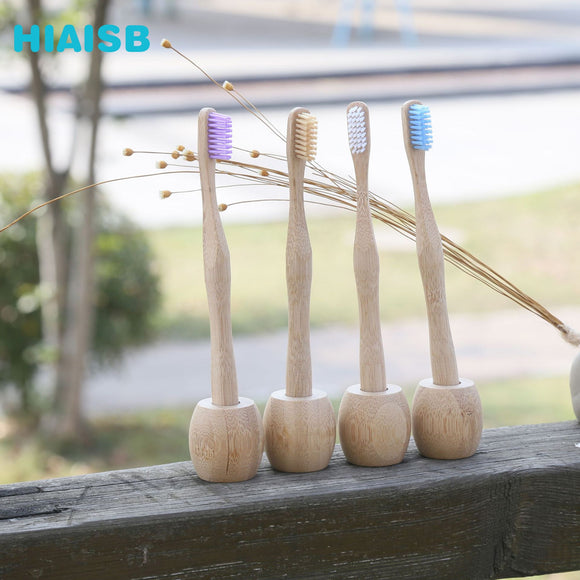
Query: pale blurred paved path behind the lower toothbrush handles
point(500, 345)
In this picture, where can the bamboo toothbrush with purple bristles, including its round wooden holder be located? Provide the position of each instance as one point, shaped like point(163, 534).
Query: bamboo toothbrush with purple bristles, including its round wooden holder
point(225, 434)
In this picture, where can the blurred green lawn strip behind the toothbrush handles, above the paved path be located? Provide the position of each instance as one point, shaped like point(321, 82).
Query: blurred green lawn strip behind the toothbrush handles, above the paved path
point(531, 240)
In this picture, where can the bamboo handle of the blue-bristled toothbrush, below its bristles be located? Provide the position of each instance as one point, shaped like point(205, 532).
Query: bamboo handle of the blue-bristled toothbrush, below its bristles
point(432, 268)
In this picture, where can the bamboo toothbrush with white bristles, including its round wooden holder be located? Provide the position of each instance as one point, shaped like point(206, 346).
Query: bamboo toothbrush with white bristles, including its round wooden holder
point(374, 420)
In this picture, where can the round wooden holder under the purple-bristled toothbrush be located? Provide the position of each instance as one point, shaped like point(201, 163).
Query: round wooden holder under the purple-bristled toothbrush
point(226, 443)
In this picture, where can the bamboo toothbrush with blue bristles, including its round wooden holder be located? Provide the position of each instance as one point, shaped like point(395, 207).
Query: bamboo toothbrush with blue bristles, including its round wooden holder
point(447, 414)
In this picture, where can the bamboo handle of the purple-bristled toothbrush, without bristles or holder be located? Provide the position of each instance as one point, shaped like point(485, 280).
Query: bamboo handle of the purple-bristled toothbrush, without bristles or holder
point(216, 260)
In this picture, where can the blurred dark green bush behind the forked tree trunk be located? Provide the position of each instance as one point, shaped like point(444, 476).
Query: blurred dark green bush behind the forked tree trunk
point(126, 298)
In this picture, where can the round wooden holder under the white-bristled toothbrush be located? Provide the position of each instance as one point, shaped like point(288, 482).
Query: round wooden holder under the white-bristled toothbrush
point(374, 427)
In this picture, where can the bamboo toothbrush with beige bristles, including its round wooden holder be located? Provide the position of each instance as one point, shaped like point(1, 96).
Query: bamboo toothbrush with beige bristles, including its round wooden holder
point(299, 423)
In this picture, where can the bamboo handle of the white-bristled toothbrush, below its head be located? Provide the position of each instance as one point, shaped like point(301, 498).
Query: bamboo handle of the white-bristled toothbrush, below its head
point(366, 270)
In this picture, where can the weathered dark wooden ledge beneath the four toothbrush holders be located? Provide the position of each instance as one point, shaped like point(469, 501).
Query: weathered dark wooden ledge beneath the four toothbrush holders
point(513, 509)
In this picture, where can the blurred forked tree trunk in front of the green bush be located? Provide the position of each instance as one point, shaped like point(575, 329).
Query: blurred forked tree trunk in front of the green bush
point(67, 277)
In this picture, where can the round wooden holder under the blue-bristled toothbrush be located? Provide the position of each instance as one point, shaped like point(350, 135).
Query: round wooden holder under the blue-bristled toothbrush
point(447, 420)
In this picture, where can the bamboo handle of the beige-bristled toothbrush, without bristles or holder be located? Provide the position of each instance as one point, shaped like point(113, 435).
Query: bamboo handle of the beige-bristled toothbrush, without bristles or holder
point(298, 275)
